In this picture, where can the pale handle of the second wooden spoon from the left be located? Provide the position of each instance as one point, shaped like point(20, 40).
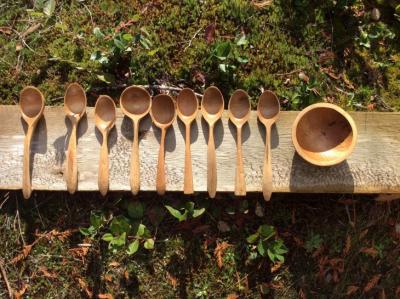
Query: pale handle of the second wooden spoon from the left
point(72, 169)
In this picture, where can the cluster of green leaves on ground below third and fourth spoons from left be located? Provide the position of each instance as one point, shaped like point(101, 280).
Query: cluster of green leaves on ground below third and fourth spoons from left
point(121, 232)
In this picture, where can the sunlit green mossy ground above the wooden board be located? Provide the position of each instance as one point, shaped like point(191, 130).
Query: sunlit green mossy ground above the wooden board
point(348, 58)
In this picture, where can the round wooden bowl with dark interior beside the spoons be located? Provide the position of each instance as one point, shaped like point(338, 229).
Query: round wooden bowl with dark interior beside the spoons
point(324, 134)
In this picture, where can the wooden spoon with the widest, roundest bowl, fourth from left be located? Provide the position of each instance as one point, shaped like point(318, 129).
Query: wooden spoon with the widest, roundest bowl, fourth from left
point(135, 103)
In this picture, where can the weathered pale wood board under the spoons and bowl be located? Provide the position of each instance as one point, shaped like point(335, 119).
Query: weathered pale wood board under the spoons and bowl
point(374, 166)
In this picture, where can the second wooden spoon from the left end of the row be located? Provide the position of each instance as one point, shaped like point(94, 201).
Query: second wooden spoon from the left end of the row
point(75, 106)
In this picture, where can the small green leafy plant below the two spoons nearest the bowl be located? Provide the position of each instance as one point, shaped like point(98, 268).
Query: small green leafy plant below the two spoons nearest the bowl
point(274, 249)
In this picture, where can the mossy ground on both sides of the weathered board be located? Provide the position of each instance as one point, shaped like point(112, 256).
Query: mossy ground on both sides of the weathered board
point(337, 245)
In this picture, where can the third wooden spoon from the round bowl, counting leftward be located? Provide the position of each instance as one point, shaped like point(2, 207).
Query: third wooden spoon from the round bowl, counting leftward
point(212, 107)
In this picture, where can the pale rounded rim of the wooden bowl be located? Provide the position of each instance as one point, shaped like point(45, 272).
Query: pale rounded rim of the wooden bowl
point(345, 114)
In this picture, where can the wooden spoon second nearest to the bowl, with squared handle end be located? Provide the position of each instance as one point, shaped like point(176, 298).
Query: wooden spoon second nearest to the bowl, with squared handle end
point(239, 113)
